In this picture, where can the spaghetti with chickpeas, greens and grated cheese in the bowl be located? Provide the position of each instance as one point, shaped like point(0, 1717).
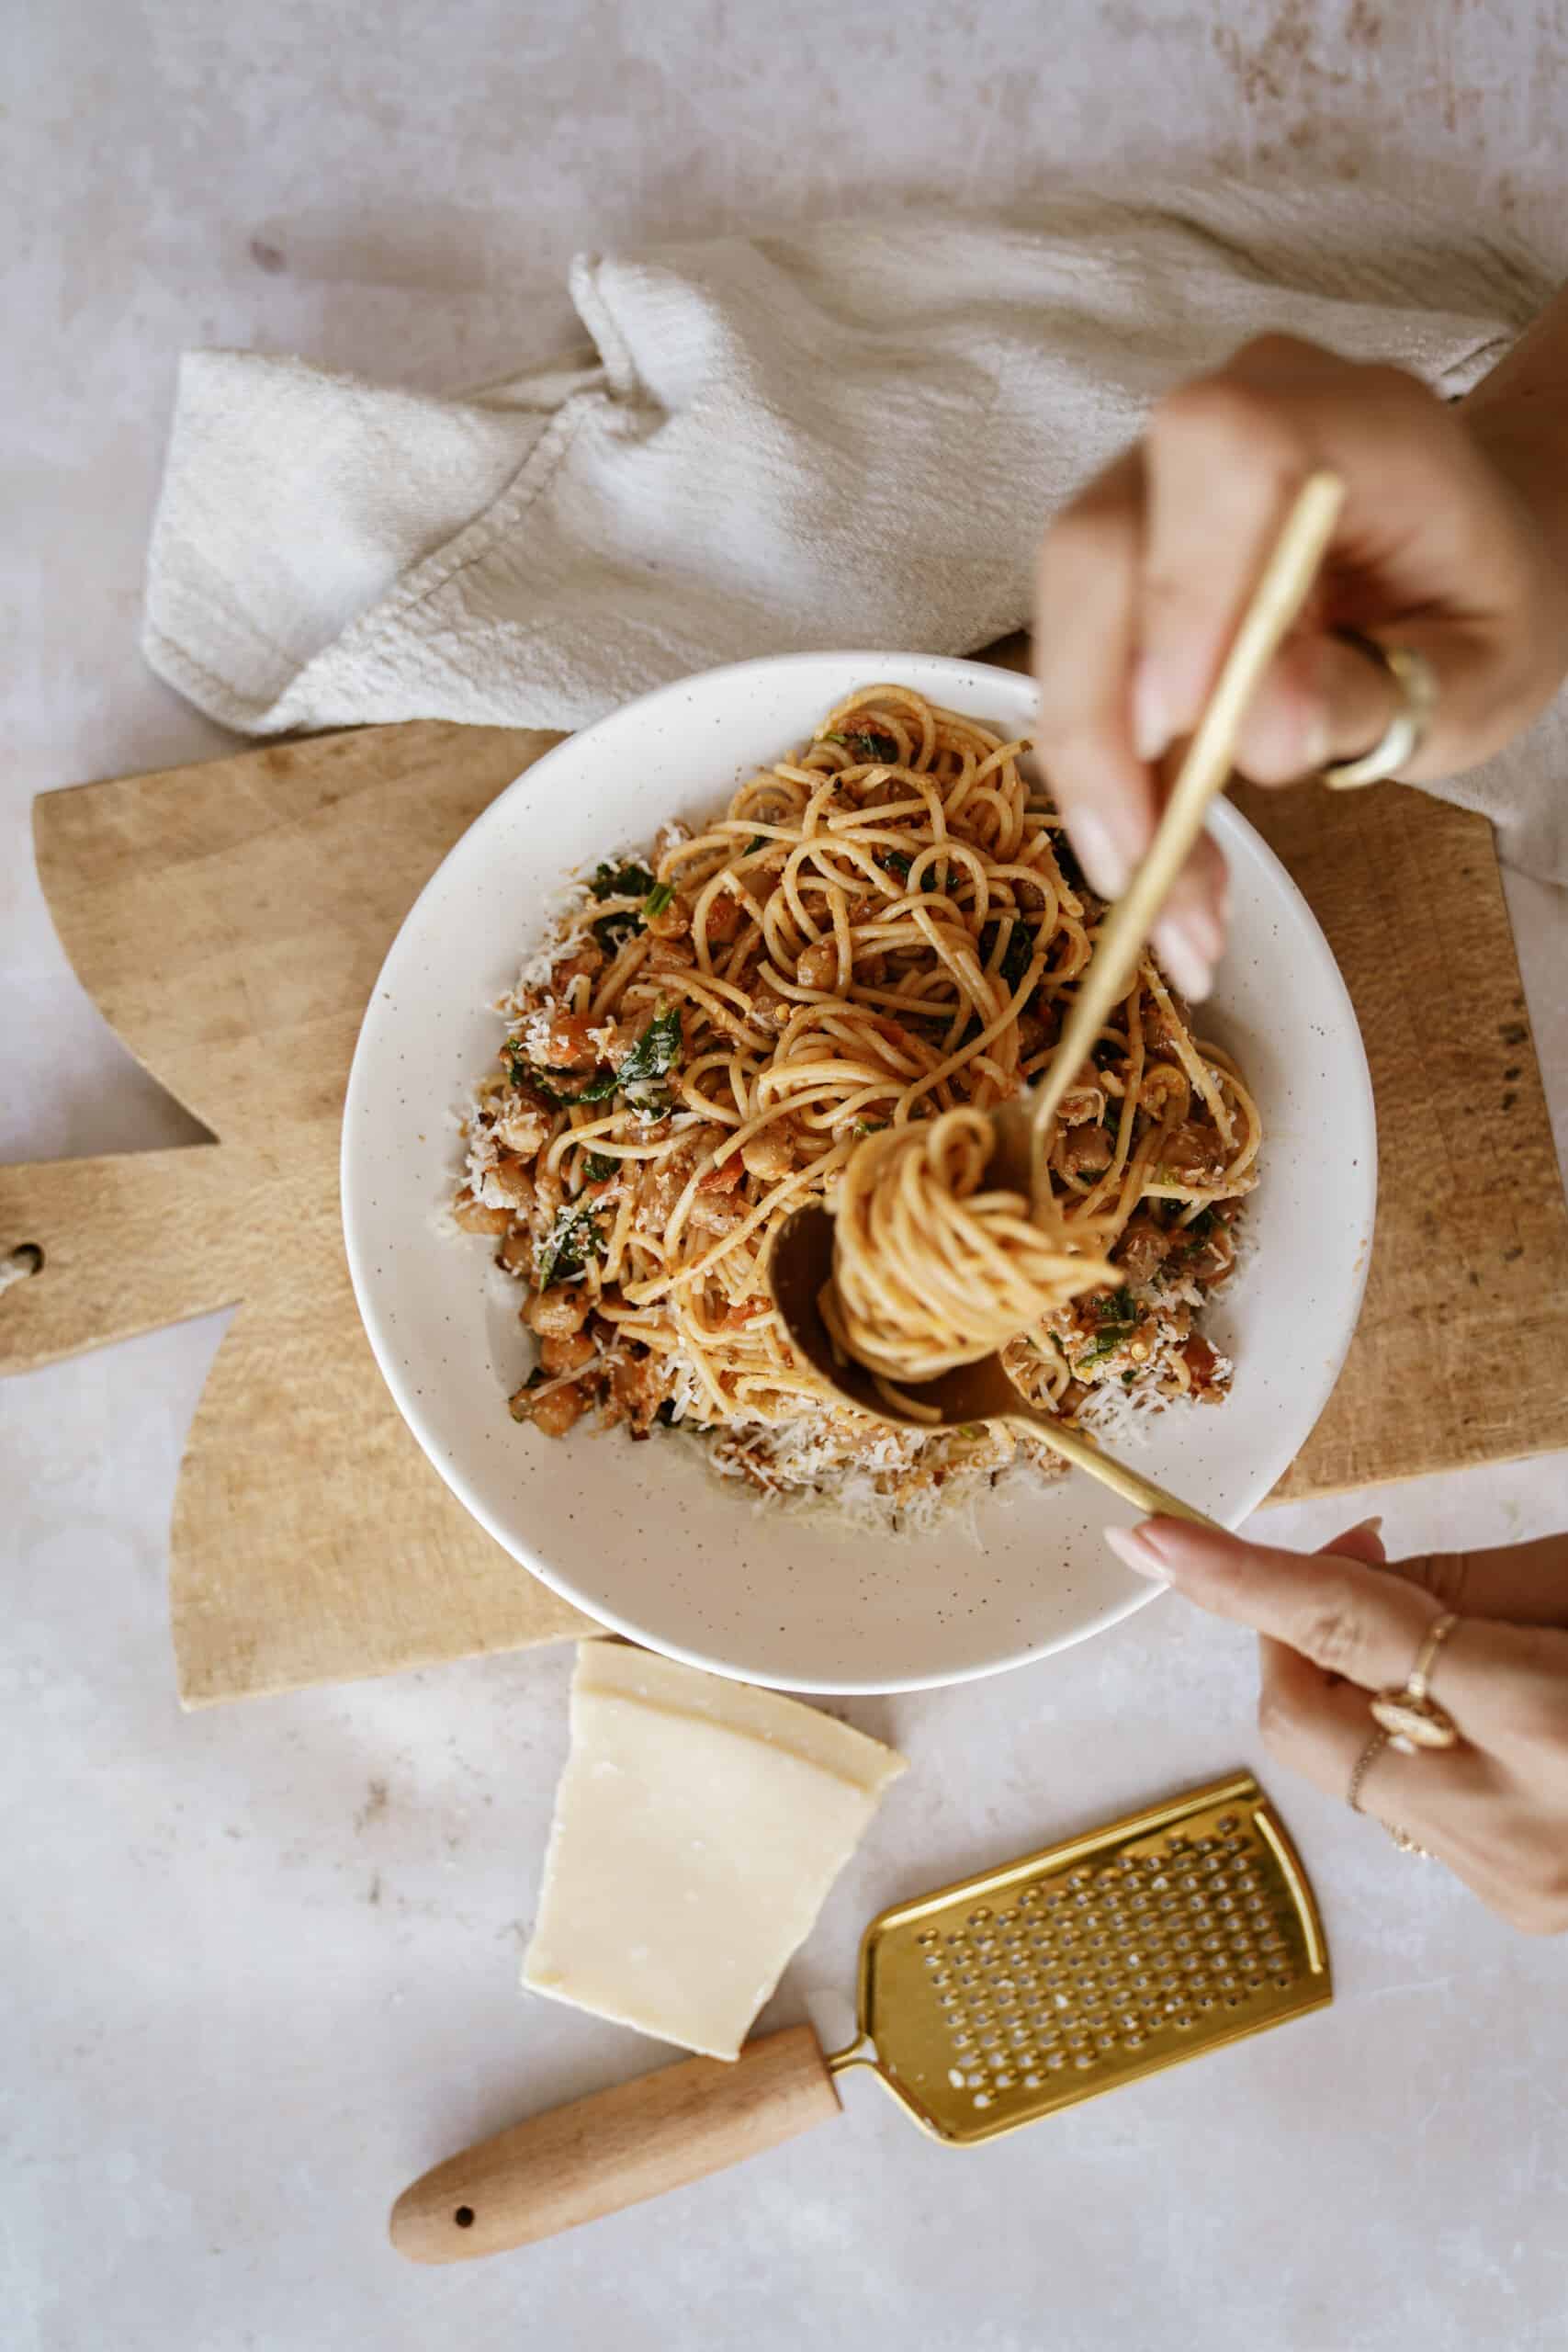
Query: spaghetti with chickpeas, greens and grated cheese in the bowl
point(876, 940)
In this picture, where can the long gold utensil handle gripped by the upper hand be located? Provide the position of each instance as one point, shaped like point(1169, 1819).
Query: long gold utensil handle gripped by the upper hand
point(1205, 770)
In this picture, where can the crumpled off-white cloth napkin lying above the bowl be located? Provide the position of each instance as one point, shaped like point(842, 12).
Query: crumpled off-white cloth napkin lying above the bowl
point(838, 439)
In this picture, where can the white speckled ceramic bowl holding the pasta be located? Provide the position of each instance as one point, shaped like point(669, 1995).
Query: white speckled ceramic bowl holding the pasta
point(643, 1537)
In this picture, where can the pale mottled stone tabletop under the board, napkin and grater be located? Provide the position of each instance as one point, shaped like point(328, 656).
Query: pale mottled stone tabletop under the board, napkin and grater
point(260, 1965)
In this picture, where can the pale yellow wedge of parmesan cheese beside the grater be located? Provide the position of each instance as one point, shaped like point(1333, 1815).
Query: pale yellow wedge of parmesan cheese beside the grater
point(697, 1833)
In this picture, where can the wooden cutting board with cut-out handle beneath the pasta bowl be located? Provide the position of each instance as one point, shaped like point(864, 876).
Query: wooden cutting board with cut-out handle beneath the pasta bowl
point(232, 921)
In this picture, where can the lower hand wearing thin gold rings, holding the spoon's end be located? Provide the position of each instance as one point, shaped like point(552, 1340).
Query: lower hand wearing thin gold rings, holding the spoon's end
point(1341, 1624)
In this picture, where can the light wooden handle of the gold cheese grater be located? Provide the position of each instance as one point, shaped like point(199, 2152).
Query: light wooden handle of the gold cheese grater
point(615, 2149)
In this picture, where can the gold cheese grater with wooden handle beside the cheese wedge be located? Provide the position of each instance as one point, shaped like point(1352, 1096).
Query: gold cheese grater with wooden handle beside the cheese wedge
point(979, 2007)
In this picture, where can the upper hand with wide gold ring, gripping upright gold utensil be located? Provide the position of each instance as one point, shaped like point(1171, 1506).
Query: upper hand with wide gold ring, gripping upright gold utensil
point(1442, 547)
